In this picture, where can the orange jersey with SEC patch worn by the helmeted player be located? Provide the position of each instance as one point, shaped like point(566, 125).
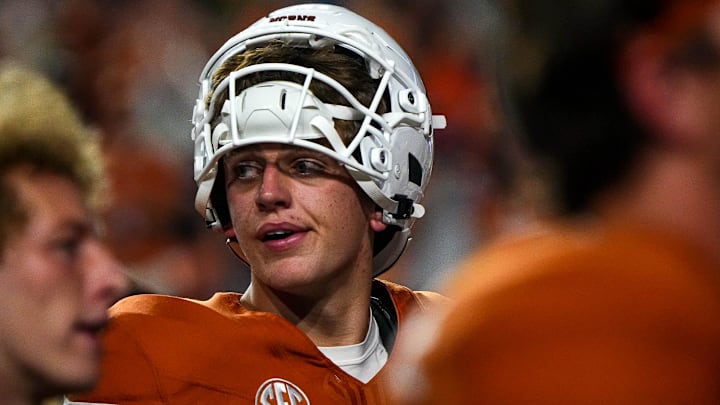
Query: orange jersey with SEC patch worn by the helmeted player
point(169, 350)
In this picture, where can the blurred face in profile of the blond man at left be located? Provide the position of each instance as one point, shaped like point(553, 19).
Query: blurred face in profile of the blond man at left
point(56, 283)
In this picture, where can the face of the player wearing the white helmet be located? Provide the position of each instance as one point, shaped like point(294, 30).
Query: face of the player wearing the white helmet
point(300, 219)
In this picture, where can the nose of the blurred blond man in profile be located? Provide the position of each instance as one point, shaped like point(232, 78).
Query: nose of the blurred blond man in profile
point(105, 281)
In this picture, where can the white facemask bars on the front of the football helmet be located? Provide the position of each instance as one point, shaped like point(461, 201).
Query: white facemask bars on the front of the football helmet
point(211, 136)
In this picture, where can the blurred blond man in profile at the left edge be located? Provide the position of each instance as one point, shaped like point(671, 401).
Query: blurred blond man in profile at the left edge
point(57, 280)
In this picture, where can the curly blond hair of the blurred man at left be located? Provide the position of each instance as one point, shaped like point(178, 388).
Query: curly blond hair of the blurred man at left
point(40, 130)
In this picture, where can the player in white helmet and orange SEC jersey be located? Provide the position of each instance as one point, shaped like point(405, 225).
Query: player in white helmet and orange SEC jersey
point(313, 139)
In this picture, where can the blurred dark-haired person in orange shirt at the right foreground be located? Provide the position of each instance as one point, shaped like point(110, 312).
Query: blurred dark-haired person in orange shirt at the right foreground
point(616, 300)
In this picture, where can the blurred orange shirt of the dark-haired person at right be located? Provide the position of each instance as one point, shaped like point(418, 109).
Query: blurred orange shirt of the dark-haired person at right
point(619, 314)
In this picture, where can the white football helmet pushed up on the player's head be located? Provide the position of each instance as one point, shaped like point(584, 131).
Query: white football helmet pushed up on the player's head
point(391, 155)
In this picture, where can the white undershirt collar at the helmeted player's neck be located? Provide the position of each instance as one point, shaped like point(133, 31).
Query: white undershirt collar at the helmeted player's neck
point(362, 360)
